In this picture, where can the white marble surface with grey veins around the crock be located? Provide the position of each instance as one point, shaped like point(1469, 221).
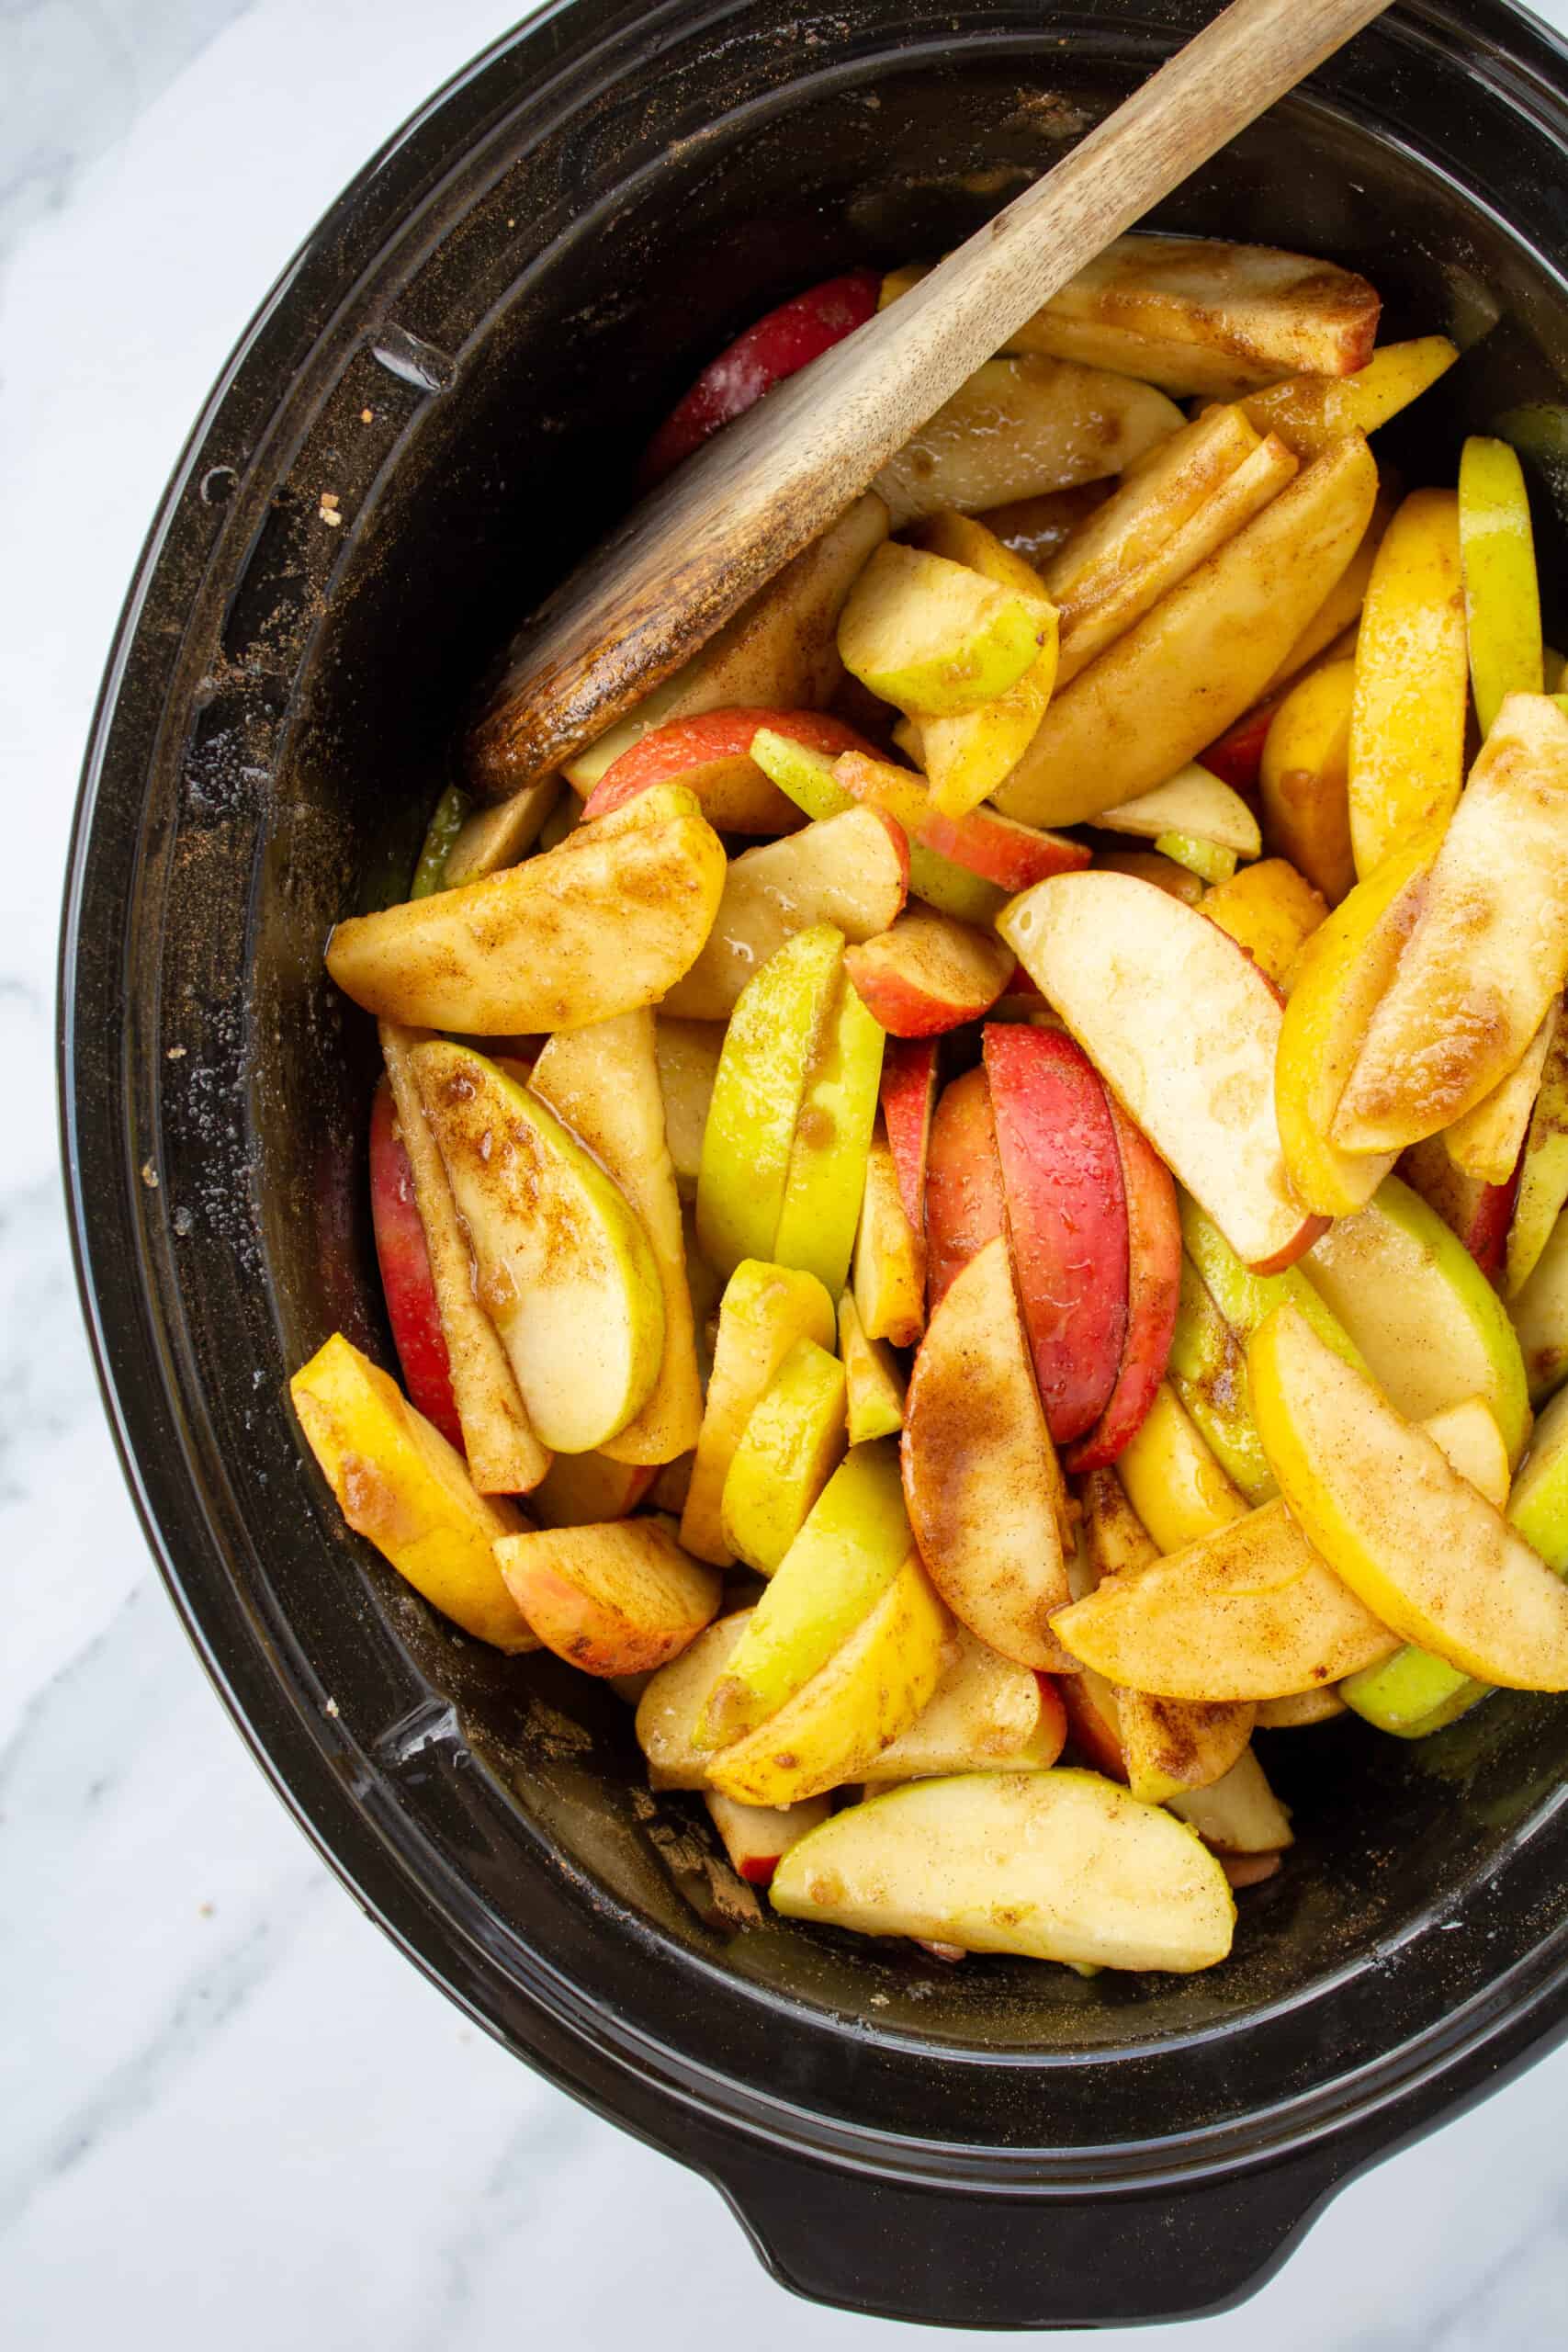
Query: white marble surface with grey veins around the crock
point(232, 2111)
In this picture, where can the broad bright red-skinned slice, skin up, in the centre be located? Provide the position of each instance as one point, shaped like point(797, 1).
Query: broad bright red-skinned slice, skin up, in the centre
point(1061, 1180)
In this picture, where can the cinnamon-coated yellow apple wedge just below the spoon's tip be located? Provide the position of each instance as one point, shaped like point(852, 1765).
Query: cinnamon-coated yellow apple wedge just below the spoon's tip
point(596, 928)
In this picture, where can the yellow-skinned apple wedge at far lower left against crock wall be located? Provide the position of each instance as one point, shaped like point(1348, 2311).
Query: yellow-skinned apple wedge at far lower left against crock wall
point(401, 1485)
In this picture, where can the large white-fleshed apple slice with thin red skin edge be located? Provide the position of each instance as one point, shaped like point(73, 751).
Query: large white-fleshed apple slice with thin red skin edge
point(1184, 1029)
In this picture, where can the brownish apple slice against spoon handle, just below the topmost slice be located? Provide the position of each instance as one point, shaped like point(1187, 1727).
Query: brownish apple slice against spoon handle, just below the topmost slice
point(1019, 429)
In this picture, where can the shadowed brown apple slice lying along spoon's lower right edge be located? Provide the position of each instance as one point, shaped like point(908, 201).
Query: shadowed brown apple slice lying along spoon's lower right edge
point(777, 655)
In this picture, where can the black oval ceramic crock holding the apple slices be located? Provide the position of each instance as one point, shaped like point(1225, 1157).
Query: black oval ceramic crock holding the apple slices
point(467, 356)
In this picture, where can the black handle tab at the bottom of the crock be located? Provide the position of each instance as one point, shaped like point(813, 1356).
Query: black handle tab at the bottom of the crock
point(949, 2257)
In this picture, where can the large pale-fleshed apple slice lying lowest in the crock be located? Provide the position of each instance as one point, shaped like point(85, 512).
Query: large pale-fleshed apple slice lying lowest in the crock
point(1054, 1866)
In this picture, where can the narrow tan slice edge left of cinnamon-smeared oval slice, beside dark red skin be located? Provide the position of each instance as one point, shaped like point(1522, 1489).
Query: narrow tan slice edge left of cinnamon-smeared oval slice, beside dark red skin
point(504, 1455)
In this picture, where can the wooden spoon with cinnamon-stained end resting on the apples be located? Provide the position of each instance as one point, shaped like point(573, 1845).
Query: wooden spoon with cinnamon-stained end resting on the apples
point(758, 493)
